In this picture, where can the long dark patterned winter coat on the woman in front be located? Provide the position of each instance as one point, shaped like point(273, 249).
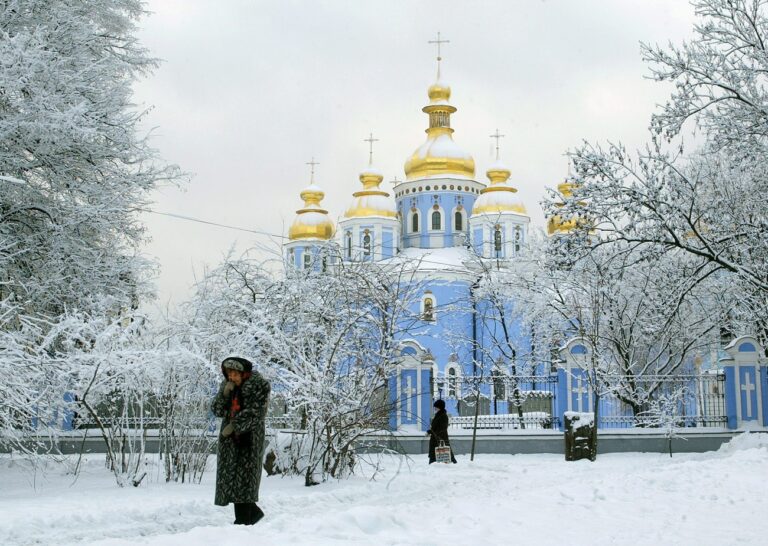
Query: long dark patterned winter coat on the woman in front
point(240, 456)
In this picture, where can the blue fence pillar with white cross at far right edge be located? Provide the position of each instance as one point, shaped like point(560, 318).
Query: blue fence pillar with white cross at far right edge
point(745, 383)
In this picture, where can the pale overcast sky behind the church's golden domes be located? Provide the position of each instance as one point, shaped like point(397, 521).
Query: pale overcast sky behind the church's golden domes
point(248, 92)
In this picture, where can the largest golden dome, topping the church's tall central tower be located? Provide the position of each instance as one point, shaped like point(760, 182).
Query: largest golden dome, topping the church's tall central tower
point(439, 155)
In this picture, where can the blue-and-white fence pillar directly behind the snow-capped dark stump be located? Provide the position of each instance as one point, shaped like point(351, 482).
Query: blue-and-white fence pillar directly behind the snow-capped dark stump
point(573, 389)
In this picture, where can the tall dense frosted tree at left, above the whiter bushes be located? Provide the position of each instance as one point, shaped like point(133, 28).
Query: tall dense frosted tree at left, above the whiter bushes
point(74, 170)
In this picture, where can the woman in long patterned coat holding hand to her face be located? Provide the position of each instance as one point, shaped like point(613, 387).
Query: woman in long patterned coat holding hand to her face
point(241, 402)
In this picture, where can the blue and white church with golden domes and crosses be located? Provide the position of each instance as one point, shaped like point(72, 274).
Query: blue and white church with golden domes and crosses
point(440, 217)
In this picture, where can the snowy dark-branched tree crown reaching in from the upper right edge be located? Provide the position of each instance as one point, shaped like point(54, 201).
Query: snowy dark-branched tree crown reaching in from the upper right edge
point(706, 209)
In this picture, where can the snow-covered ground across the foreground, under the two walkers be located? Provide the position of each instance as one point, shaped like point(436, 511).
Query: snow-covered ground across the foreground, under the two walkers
point(711, 498)
